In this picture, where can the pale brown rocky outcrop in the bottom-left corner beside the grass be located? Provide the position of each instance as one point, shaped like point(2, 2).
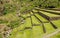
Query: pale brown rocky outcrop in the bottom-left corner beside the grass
point(4, 30)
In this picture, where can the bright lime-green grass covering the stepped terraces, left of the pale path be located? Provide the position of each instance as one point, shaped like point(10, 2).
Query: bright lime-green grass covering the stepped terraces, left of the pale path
point(26, 30)
